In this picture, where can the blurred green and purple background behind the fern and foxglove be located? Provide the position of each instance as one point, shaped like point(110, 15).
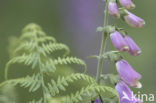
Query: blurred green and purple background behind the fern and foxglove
point(74, 23)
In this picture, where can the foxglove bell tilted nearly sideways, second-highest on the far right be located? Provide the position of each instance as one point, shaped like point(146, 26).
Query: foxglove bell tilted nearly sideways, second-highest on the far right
point(134, 20)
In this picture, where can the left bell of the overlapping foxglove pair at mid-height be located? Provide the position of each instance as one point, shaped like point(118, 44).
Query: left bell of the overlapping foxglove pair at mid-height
point(118, 41)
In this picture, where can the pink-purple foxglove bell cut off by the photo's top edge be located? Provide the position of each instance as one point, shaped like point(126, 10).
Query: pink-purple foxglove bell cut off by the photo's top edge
point(128, 4)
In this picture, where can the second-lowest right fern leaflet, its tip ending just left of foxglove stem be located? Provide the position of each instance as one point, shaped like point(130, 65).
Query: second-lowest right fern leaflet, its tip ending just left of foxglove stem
point(63, 82)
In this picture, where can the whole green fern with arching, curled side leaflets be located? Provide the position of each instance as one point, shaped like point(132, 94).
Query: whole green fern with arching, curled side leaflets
point(38, 51)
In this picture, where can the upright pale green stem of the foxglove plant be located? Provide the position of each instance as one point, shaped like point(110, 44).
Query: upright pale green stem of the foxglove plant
point(103, 44)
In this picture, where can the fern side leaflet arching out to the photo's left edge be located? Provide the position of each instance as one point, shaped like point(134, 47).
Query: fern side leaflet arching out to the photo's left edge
point(33, 83)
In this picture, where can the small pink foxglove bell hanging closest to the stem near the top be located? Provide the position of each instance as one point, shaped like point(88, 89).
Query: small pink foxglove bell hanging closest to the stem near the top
point(113, 9)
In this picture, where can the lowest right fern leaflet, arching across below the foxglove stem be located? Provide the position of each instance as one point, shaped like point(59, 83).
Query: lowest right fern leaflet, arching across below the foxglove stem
point(89, 90)
